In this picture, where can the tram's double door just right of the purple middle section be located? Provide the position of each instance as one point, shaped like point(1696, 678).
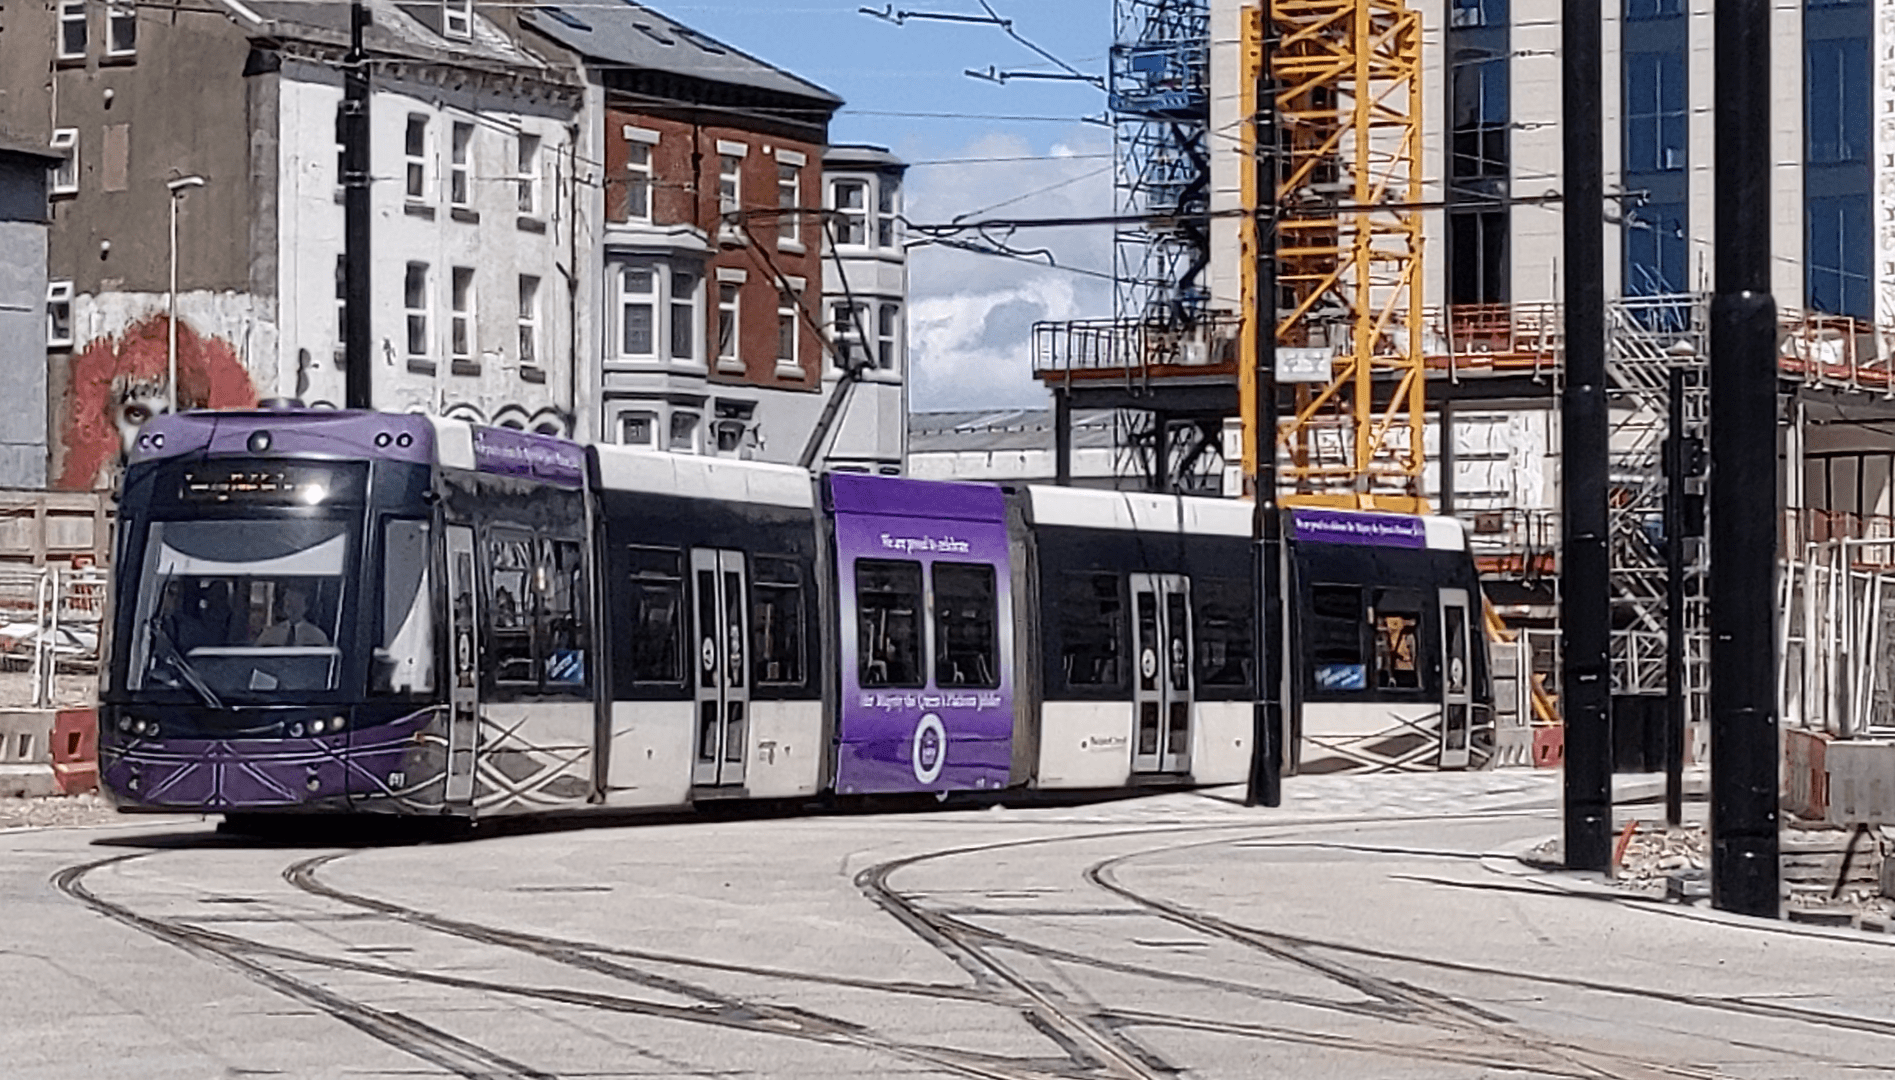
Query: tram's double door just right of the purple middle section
point(1161, 607)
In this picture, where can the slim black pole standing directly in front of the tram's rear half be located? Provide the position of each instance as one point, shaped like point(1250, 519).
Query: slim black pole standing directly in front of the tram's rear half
point(1267, 520)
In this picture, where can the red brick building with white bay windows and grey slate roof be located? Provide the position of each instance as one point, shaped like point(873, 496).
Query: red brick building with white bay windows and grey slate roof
point(712, 245)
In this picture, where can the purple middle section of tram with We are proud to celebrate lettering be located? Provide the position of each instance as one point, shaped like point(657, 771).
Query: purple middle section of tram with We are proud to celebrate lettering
point(928, 634)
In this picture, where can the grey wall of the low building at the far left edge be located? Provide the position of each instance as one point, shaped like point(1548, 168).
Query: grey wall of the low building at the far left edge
point(24, 351)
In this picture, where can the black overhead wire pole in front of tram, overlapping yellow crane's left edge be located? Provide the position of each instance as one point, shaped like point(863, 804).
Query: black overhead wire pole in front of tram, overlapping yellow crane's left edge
point(1259, 401)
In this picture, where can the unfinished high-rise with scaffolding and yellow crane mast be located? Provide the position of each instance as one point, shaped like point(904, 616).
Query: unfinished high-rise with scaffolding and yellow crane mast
point(1403, 168)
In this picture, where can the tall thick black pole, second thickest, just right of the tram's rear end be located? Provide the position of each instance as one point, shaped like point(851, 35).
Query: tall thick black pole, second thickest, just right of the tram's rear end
point(1585, 603)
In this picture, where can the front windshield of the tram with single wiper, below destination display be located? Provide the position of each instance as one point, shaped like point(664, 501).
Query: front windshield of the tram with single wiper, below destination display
point(240, 609)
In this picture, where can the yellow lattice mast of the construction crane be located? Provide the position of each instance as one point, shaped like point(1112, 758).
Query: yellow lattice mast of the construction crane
point(1346, 158)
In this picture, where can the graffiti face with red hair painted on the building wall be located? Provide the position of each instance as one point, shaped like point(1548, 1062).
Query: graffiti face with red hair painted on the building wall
point(118, 384)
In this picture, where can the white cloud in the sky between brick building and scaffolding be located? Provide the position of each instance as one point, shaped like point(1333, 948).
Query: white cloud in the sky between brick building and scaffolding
point(971, 315)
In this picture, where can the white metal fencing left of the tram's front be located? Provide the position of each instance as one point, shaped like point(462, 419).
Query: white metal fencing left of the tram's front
point(52, 621)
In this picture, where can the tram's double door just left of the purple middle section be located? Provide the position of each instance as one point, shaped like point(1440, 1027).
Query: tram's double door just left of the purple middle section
point(723, 666)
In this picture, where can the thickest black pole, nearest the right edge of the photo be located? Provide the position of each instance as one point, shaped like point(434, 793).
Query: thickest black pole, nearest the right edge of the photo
point(1744, 408)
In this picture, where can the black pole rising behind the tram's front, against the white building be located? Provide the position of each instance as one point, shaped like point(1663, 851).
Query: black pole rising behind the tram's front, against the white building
point(357, 298)
